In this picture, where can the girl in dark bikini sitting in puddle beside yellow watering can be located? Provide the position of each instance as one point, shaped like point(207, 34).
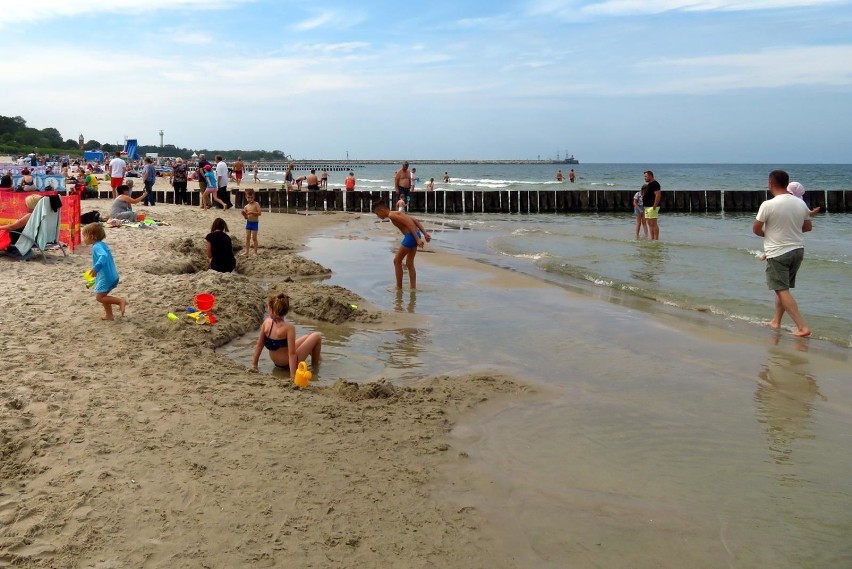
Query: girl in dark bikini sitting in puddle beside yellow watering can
point(279, 337)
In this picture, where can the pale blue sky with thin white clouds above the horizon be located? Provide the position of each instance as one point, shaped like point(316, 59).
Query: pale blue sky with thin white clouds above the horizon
point(653, 81)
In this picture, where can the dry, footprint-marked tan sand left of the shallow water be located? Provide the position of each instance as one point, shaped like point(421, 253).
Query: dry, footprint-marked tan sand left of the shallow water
point(134, 443)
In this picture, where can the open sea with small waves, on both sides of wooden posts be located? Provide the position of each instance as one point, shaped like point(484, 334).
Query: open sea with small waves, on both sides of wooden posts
point(702, 262)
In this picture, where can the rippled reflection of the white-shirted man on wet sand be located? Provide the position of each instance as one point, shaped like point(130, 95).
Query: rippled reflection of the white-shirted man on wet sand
point(784, 399)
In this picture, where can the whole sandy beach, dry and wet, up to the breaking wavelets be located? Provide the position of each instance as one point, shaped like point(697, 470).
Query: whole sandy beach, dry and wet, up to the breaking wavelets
point(605, 432)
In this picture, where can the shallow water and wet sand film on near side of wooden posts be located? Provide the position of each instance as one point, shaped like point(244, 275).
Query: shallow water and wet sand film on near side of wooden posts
point(654, 446)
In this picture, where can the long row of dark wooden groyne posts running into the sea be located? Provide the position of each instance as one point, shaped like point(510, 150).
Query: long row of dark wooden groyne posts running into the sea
point(520, 201)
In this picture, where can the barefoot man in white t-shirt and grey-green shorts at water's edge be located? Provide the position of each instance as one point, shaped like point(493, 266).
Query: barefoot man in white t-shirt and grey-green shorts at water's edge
point(782, 222)
